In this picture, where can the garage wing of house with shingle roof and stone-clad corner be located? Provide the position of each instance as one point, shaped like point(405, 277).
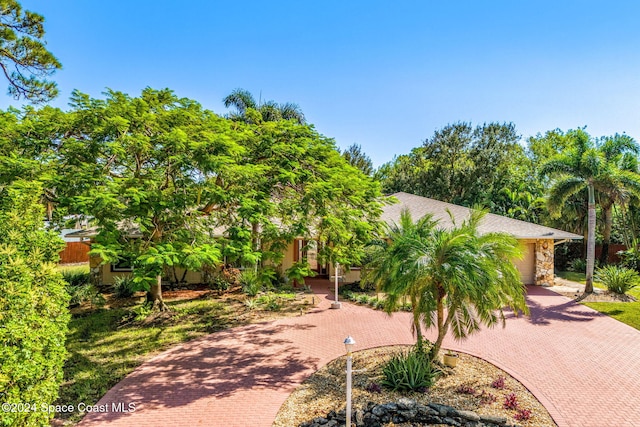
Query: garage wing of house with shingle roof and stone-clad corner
point(536, 268)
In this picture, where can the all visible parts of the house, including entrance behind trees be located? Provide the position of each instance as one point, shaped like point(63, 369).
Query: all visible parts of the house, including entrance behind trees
point(536, 268)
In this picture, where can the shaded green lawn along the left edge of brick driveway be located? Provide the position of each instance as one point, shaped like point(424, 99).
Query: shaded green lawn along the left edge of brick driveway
point(107, 344)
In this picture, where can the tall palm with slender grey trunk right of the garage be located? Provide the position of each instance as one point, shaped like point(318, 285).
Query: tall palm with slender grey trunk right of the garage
point(589, 165)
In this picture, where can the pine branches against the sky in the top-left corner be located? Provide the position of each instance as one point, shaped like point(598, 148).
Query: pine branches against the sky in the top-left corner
point(24, 60)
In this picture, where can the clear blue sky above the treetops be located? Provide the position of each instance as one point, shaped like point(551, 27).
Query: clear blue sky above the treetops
point(384, 75)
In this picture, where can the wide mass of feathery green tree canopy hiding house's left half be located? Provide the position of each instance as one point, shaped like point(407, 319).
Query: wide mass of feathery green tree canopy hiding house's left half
point(172, 187)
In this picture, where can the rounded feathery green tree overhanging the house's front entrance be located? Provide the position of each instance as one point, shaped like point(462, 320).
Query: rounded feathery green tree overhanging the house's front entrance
point(292, 182)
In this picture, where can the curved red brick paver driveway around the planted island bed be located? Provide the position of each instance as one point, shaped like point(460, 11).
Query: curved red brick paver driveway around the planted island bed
point(583, 366)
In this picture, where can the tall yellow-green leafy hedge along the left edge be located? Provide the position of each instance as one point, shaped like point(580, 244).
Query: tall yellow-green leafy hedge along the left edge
point(33, 307)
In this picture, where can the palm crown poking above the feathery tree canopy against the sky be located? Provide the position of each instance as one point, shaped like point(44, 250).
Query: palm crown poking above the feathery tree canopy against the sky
point(243, 101)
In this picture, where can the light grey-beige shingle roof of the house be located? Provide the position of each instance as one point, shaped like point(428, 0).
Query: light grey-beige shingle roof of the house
point(420, 206)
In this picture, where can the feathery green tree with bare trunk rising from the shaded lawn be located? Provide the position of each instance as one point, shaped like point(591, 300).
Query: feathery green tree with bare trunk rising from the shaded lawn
point(141, 168)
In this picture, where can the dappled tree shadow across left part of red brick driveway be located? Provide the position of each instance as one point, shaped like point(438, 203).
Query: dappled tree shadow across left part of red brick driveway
point(217, 366)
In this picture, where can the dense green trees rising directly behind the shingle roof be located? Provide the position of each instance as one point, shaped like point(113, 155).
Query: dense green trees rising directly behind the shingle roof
point(463, 165)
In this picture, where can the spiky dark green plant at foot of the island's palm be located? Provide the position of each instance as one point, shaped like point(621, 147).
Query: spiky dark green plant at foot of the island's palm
point(411, 371)
